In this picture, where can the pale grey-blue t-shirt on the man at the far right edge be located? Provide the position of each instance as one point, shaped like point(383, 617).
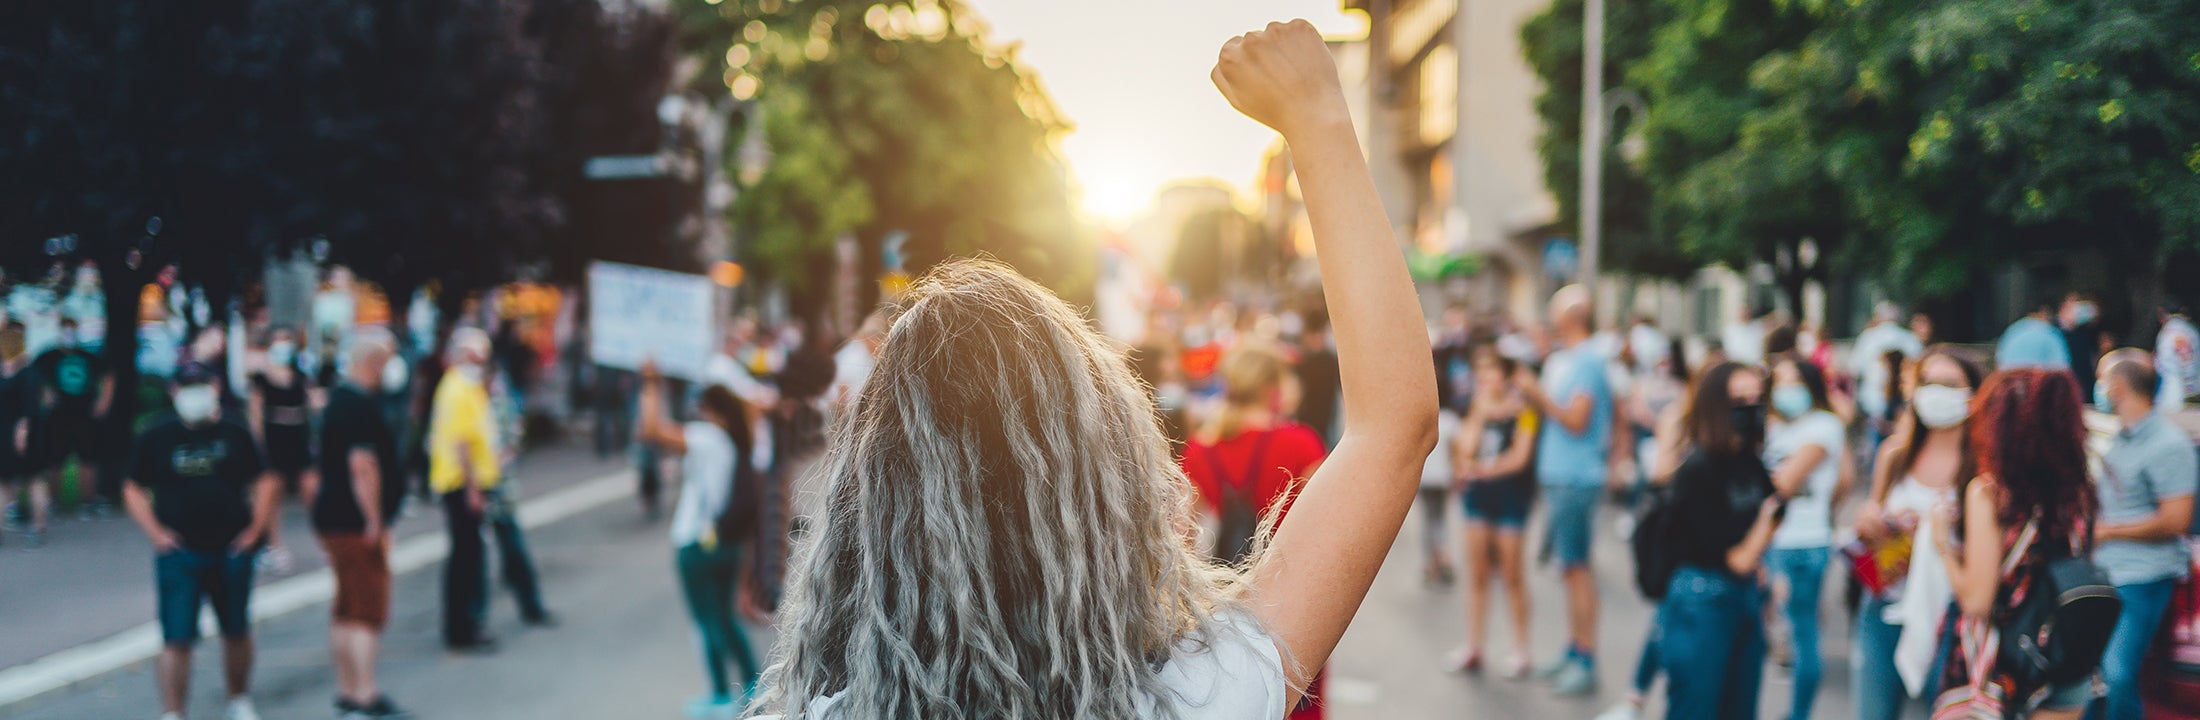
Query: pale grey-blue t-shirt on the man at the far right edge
point(2146, 466)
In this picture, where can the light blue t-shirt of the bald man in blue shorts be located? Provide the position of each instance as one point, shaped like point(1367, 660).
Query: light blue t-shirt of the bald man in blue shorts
point(1567, 459)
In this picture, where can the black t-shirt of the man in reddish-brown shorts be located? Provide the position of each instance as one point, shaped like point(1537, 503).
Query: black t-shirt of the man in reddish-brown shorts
point(353, 422)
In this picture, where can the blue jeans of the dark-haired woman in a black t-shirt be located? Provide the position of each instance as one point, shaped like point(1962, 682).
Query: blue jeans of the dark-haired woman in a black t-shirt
point(1713, 646)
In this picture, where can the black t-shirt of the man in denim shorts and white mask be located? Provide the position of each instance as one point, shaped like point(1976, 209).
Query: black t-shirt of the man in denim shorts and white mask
point(201, 479)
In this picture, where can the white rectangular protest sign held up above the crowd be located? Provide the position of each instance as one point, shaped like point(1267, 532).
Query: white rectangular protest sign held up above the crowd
point(641, 314)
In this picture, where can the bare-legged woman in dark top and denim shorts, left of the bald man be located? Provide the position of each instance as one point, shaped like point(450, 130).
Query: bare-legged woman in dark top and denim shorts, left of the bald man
point(1497, 481)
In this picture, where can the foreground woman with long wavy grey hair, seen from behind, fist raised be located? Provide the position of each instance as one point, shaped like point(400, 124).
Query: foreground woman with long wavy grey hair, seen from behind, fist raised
point(1009, 534)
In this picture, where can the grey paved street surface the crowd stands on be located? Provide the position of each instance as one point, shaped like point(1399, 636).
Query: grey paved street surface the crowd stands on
point(626, 651)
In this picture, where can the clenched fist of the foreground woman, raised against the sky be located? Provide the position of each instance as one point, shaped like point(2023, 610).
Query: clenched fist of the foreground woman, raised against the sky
point(1284, 78)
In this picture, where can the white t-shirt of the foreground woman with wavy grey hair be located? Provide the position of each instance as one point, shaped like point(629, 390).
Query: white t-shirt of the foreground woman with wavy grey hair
point(1235, 675)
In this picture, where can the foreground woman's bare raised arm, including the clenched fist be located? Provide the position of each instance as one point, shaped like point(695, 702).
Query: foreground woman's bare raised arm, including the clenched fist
point(1328, 552)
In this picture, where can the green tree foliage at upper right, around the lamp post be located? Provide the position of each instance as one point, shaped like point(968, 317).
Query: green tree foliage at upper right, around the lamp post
point(1911, 142)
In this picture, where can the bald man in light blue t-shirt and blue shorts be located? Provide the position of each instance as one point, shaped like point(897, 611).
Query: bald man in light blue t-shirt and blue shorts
point(1572, 463)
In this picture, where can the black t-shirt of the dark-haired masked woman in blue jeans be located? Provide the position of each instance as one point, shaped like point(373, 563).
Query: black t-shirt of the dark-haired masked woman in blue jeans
point(1715, 501)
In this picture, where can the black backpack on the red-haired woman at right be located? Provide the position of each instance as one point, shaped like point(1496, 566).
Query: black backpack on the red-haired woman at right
point(2065, 622)
